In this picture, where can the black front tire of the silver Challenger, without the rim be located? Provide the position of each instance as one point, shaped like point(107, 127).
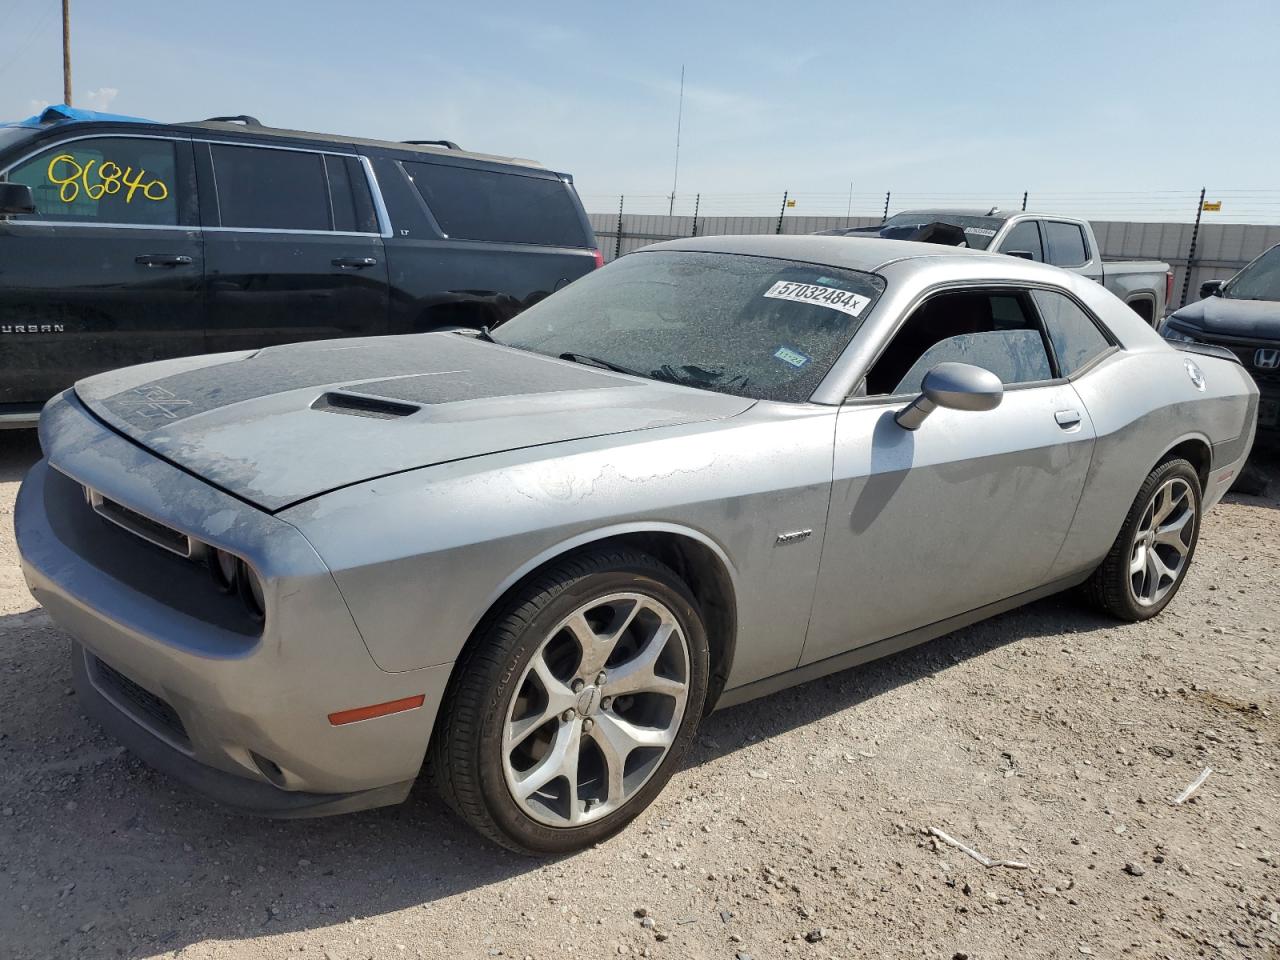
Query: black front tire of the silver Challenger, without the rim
point(467, 762)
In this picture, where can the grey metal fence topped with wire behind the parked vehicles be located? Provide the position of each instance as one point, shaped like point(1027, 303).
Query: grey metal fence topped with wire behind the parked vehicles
point(1220, 249)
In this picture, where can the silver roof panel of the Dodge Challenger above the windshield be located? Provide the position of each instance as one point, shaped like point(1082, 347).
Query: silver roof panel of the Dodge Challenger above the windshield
point(867, 254)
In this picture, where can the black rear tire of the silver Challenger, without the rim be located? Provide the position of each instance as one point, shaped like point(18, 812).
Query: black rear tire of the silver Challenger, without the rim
point(1112, 586)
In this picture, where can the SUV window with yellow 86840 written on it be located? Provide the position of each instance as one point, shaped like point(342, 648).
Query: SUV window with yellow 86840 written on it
point(104, 180)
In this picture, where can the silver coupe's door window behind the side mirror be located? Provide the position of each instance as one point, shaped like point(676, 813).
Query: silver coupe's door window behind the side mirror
point(995, 331)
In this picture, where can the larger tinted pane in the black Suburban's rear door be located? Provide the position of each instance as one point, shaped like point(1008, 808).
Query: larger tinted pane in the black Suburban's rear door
point(284, 190)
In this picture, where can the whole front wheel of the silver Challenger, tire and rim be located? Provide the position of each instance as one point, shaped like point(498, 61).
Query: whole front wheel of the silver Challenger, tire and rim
point(575, 703)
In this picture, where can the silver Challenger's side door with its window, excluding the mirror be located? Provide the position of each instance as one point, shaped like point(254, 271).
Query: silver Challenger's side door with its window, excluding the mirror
point(971, 509)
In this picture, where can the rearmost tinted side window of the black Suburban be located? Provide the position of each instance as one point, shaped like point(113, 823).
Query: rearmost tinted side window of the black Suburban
point(505, 208)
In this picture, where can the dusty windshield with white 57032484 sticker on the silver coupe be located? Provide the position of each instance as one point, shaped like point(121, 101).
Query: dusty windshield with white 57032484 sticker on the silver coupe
point(752, 327)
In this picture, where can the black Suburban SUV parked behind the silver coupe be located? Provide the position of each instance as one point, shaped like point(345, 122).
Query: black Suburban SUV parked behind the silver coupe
point(140, 241)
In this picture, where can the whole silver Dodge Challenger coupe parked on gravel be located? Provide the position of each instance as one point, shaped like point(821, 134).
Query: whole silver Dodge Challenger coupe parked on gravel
point(529, 561)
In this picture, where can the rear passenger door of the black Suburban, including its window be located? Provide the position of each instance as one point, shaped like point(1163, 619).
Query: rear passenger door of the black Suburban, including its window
point(294, 249)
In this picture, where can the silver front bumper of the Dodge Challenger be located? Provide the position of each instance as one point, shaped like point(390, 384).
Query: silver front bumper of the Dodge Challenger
point(240, 715)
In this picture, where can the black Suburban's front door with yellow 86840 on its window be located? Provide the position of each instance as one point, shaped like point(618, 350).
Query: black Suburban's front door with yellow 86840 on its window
point(108, 272)
